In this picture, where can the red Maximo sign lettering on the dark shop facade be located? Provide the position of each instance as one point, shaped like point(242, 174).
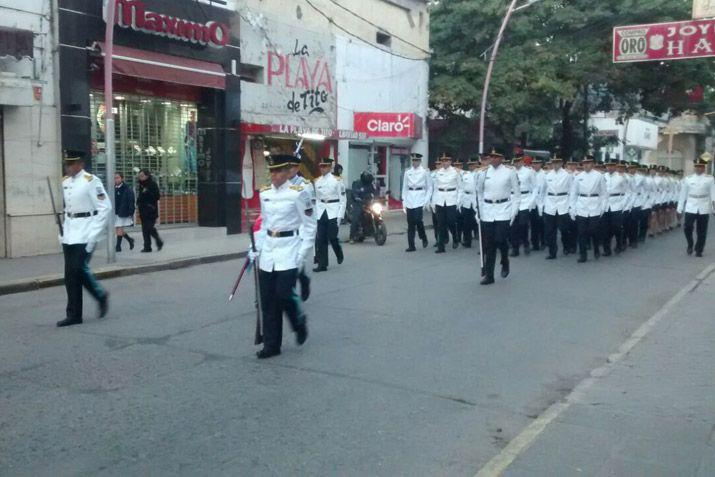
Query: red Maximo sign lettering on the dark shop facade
point(134, 14)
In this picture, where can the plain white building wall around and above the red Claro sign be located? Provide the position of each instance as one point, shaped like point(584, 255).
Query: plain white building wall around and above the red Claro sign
point(372, 80)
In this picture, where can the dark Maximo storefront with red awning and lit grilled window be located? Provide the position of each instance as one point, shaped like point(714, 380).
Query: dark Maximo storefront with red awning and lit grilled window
point(176, 101)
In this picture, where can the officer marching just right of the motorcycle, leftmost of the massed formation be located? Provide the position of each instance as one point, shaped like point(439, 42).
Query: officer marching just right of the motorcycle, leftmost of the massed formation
point(416, 193)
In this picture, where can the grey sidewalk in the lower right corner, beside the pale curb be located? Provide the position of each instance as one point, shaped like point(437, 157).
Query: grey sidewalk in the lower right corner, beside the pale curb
point(652, 414)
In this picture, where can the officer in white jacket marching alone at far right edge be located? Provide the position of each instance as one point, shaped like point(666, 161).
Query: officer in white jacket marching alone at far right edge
point(697, 200)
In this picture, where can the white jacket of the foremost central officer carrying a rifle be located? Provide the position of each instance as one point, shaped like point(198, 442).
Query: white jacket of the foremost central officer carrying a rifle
point(285, 209)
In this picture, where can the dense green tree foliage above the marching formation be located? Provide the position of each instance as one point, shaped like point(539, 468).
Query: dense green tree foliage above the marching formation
point(554, 67)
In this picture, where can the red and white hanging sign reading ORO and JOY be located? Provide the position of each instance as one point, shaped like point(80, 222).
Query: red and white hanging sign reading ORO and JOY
point(664, 41)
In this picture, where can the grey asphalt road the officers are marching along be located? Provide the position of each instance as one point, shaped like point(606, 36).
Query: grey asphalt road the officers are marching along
point(411, 367)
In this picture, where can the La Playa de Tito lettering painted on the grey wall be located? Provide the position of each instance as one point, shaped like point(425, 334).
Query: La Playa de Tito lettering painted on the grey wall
point(308, 77)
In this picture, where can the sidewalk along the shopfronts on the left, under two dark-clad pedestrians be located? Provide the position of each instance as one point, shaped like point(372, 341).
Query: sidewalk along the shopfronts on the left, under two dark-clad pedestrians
point(184, 247)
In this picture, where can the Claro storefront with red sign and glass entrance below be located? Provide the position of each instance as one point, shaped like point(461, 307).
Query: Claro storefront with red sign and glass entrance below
point(390, 139)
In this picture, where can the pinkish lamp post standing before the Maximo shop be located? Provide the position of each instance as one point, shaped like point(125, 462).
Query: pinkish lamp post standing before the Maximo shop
point(109, 120)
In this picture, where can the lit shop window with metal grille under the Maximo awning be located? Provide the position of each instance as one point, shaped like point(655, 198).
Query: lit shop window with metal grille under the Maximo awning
point(157, 134)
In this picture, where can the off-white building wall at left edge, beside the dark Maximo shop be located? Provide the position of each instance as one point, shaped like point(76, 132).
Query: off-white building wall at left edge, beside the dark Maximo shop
point(31, 137)
